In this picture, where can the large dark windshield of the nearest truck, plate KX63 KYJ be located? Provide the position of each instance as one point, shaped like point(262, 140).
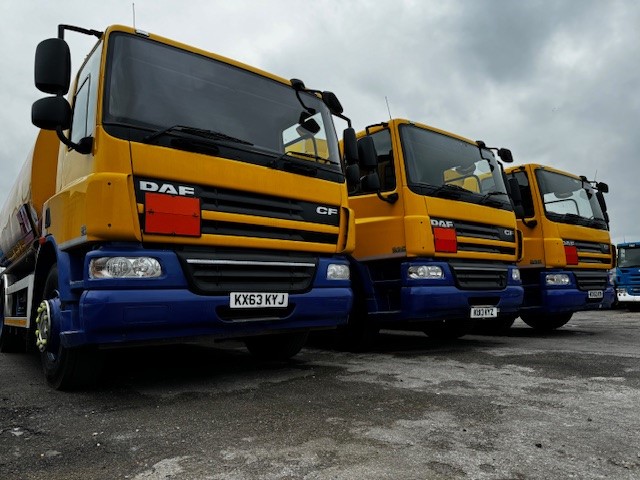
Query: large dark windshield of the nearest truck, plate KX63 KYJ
point(152, 88)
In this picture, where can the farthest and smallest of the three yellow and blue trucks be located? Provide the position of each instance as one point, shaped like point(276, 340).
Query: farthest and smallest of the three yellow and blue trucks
point(567, 247)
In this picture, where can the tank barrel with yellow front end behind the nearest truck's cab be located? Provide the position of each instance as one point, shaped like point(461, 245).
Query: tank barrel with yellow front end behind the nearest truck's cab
point(21, 213)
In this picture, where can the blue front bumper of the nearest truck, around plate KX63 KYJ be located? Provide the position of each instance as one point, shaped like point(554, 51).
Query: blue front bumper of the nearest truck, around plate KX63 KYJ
point(119, 311)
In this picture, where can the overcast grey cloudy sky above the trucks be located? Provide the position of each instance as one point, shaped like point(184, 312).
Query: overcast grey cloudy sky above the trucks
point(556, 81)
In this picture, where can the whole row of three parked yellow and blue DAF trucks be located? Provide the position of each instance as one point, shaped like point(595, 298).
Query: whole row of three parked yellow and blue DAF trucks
point(173, 193)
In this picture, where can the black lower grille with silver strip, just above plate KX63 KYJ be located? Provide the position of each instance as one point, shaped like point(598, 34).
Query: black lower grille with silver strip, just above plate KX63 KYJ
point(220, 272)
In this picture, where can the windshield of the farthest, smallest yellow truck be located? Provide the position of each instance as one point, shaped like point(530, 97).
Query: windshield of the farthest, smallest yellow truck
point(570, 200)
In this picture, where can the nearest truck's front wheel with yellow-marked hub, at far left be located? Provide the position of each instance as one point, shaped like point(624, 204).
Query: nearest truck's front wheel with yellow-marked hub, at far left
point(64, 368)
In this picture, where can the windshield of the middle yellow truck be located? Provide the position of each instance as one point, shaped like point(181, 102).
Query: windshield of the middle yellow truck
point(439, 165)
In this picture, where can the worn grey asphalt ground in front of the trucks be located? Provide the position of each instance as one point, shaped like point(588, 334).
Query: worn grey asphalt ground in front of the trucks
point(519, 406)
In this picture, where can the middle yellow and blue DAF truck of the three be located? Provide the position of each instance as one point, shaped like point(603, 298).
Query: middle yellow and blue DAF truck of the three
point(436, 233)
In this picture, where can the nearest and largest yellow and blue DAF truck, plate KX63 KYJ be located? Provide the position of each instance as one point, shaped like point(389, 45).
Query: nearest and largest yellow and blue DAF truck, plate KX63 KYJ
point(176, 193)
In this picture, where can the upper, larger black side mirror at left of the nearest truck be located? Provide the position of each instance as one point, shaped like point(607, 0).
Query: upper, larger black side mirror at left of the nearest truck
point(52, 73)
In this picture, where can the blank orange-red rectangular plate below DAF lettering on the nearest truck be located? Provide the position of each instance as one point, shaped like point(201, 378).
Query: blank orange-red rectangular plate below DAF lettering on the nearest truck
point(171, 215)
